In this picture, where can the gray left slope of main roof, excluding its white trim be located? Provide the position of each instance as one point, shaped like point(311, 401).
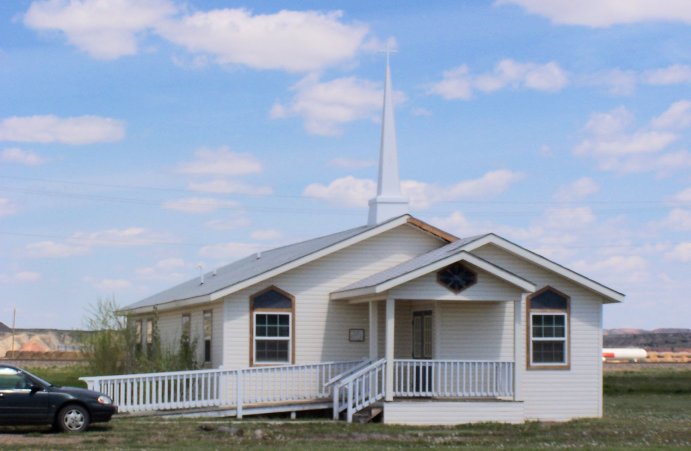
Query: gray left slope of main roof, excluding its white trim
point(247, 268)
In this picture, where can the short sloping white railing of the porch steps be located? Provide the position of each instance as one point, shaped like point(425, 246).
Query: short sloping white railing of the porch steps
point(359, 390)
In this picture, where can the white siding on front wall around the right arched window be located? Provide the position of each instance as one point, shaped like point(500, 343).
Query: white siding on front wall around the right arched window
point(561, 394)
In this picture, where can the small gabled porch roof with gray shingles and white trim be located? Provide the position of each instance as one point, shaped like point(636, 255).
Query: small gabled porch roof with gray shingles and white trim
point(425, 264)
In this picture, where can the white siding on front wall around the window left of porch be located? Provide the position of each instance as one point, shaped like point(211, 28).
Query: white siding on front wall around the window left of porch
point(321, 329)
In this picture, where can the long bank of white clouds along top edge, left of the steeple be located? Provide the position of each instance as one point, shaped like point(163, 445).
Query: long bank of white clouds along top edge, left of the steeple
point(295, 41)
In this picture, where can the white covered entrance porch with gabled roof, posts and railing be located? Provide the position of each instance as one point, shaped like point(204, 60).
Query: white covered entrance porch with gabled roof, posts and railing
point(449, 332)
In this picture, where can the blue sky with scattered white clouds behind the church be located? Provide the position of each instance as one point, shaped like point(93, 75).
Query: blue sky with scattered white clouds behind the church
point(140, 139)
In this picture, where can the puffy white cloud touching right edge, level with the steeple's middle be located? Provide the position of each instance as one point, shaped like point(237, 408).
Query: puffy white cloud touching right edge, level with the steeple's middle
point(611, 141)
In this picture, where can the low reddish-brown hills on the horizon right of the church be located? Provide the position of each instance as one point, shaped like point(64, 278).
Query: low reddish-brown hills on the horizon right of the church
point(660, 340)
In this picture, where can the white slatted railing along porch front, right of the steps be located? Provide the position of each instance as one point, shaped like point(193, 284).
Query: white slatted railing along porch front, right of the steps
point(453, 378)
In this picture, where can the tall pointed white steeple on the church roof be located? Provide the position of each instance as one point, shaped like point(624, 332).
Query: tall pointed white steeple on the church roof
point(389, 202)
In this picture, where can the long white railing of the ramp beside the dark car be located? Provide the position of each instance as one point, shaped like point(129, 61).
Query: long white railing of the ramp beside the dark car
point(219, 387)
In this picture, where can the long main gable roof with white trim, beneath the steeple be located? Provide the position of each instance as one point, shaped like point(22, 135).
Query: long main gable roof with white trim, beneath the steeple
point(261, 266)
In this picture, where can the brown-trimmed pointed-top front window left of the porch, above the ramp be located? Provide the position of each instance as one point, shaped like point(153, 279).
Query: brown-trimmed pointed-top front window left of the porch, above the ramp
point(272, 327)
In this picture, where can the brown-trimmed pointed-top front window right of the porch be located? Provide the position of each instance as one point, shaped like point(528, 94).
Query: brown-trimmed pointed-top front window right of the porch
point(548, 314)
